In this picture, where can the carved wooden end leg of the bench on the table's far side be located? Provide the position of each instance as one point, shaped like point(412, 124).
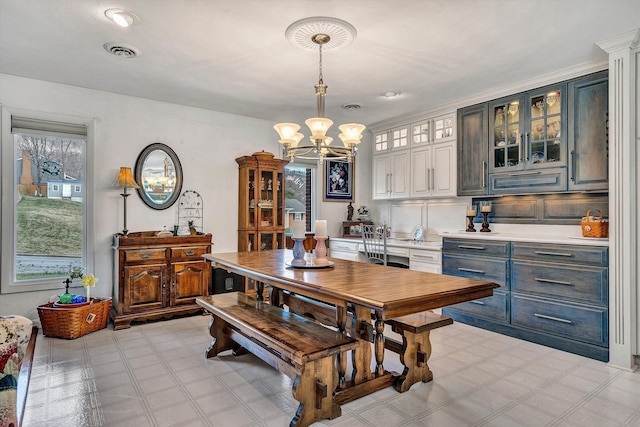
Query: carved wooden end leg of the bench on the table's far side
point(416, 349)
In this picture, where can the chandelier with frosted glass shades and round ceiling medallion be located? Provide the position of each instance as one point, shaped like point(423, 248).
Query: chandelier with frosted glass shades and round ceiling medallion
point(312, 33)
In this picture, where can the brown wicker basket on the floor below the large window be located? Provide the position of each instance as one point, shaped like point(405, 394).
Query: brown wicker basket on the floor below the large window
point(71, 323)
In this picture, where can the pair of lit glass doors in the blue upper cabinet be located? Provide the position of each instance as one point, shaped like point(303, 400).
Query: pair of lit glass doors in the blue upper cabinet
point(526, 131)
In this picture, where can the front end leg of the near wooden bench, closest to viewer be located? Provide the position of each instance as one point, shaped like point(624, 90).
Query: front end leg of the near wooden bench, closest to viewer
point(314, 388)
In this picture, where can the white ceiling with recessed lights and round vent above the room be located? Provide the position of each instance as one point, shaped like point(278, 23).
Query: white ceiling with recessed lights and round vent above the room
point(232, 56)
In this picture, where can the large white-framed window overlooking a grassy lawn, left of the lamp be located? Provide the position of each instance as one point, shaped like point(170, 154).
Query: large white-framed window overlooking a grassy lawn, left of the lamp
point(45, 233)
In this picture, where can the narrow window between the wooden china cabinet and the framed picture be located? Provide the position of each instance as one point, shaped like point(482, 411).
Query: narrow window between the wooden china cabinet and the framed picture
point(300, 194)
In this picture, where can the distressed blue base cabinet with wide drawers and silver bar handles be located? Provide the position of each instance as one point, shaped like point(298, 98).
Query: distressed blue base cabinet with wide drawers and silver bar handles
point(550, 294)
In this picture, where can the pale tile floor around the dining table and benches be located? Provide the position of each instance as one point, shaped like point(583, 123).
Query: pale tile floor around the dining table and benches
point(155, 374)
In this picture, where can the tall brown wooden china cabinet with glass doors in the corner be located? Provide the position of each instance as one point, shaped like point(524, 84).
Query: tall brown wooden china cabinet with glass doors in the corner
point(261, 217)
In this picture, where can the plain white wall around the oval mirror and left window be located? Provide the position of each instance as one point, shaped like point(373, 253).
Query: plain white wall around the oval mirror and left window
point(206, 142)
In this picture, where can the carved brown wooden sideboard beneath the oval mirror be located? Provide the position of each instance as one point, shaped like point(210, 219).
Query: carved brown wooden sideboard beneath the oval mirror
point(158, 277)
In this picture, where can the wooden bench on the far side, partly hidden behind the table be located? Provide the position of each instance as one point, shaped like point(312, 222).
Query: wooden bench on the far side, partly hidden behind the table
point(414, 350)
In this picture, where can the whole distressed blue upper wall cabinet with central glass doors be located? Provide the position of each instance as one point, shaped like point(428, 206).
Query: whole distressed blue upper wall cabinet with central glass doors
point(550, 139)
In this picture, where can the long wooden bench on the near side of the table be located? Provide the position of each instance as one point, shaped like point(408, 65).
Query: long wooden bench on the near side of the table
point(298, 347)
